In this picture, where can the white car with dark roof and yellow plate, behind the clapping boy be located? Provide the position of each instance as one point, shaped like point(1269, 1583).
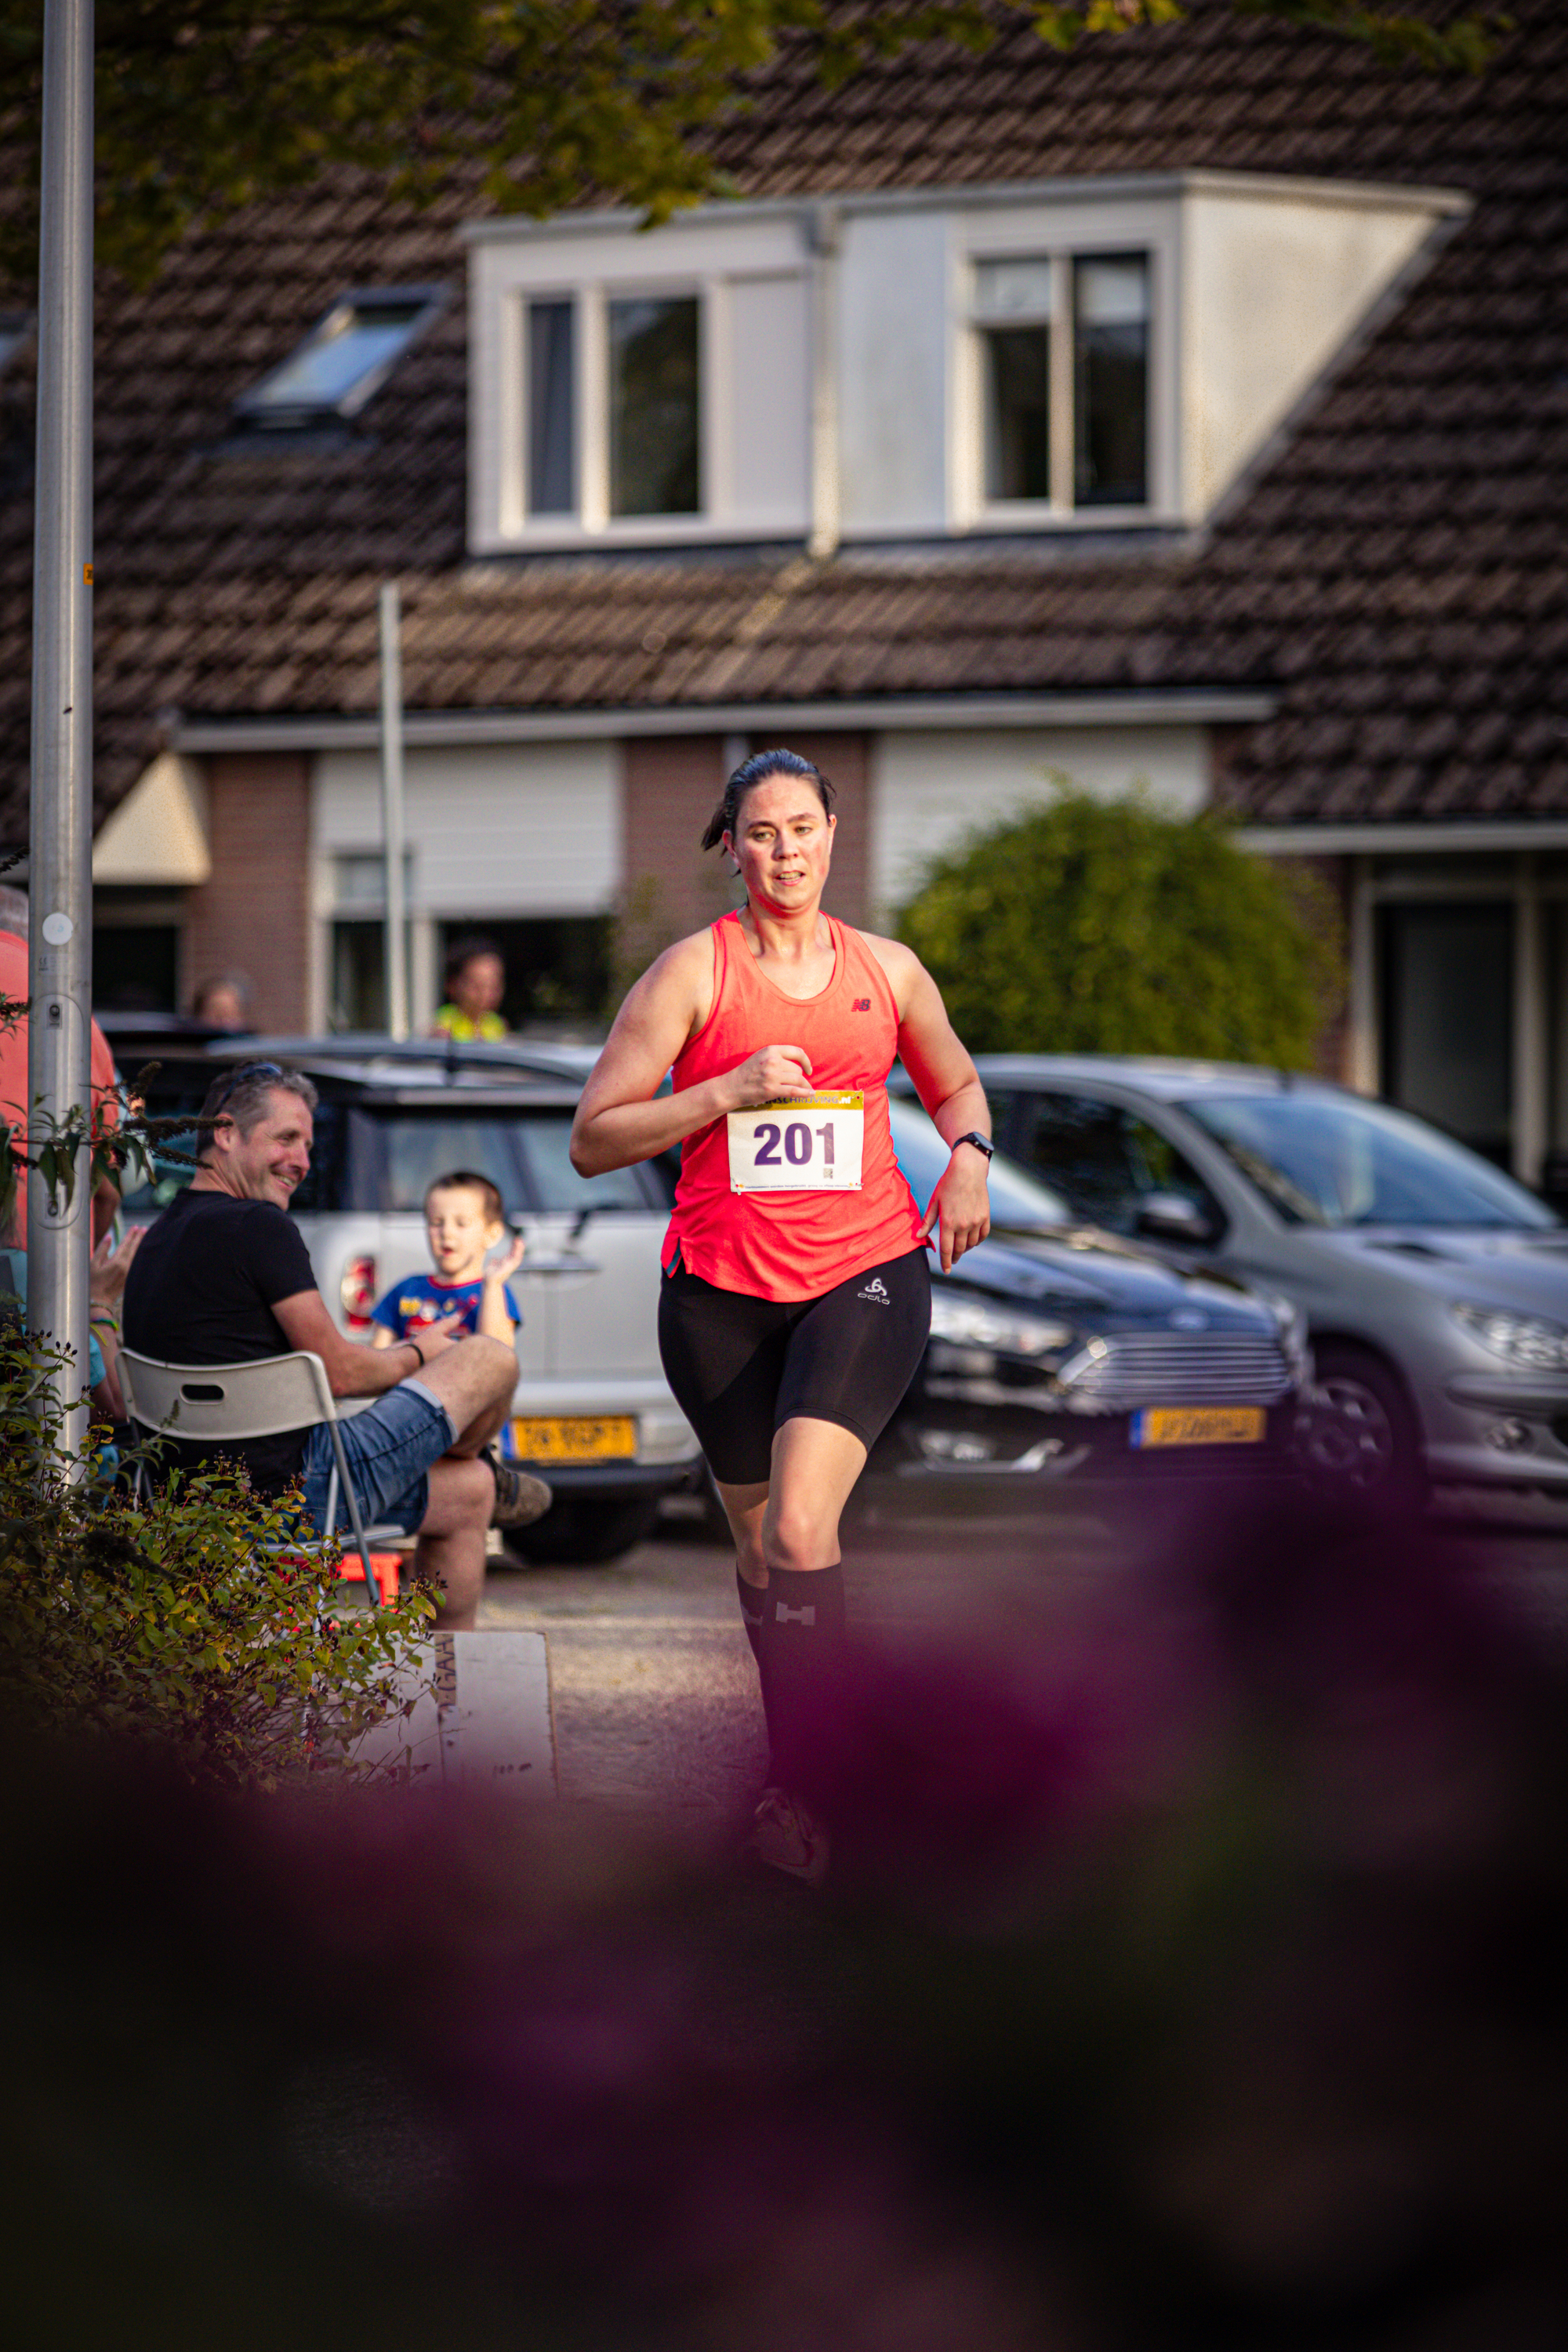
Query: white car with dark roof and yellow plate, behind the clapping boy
point(591, 1410)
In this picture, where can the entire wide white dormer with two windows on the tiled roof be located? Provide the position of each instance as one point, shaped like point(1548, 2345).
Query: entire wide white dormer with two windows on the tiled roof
point(1061, 359)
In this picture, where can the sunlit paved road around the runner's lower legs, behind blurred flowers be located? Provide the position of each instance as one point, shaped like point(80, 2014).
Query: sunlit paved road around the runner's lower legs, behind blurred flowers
point(655, 1690)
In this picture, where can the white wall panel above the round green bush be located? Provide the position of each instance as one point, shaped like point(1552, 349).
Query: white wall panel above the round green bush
point(934, 787)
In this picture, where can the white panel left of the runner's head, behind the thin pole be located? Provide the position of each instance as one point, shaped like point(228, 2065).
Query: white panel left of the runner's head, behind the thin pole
point(495, 831)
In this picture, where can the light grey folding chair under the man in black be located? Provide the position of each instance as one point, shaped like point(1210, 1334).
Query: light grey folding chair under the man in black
point(229, 1403)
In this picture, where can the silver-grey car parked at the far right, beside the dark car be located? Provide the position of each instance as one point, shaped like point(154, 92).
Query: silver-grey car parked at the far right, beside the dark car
point(1435, 1288)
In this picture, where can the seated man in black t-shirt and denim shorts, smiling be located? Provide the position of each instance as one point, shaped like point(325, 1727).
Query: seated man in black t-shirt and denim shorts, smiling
point(225, 1278)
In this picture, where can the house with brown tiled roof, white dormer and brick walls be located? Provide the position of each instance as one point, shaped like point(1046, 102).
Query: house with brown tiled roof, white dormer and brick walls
point(1188, 410)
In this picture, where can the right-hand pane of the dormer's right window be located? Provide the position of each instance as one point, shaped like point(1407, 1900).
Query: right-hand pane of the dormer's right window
point(1111, 302)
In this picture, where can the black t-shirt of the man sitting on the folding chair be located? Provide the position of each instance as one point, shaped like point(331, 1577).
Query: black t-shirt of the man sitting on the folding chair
point(201, 1292)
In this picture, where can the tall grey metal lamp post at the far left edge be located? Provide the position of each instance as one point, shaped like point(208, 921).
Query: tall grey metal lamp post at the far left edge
point(60, 874)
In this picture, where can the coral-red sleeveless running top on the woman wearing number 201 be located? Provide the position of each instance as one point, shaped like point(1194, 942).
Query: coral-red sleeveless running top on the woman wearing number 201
point(793, 1245)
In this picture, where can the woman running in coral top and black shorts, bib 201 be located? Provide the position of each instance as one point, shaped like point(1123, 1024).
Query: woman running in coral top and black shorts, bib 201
point(796, 1290)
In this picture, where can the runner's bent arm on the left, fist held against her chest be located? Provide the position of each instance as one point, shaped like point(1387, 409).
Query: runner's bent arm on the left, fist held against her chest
point(622, 1116)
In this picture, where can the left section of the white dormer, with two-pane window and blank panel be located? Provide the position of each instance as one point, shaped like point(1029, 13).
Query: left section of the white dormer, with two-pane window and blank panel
point(641, 389)
